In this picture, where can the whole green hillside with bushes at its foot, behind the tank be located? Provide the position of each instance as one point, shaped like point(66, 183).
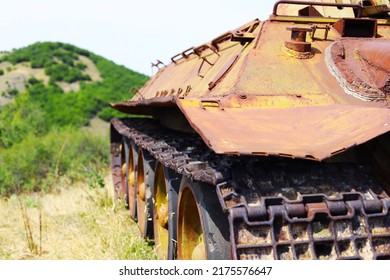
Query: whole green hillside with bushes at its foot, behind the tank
point(48, 91)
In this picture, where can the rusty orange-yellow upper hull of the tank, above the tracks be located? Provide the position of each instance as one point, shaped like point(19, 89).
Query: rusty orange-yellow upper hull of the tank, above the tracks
point(300, 90)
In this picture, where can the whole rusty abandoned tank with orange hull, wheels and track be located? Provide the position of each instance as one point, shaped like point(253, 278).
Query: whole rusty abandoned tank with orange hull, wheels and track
point(271, 141)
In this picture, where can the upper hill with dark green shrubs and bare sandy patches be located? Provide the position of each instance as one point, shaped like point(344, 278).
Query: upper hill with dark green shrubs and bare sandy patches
point(66, 77)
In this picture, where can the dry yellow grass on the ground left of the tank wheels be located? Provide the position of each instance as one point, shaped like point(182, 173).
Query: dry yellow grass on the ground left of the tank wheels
point(78, 222)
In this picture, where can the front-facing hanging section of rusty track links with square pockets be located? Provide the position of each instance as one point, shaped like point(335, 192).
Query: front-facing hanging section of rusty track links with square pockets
point(281, 231)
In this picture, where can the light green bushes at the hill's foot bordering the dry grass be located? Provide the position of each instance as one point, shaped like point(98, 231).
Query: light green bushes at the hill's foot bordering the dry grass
point(36, 163)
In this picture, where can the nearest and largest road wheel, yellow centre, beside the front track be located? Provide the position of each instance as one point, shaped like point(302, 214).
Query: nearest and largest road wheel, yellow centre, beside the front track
point(203, 229)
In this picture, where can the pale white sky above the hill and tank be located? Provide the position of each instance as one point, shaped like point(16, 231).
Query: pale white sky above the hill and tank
point(133, 33)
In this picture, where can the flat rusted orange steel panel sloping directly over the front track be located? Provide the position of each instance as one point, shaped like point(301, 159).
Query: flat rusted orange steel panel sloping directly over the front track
point(316, 132)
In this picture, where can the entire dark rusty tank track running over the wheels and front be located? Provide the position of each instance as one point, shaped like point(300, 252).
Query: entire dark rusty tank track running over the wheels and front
point(278, 208)
